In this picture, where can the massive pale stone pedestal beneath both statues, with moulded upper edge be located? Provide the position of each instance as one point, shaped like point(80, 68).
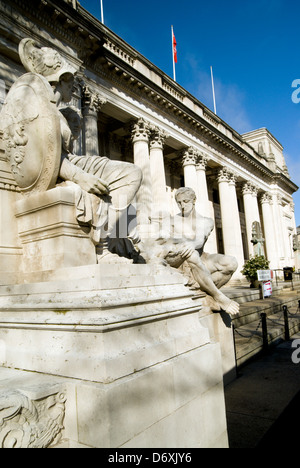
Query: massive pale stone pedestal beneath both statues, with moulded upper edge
point(122, 351)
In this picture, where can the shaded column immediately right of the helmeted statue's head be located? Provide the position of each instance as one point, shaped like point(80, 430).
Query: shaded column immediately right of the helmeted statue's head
point(91, 105)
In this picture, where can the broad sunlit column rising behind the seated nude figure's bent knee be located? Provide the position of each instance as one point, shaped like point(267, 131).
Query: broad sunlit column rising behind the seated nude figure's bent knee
point(231, 226)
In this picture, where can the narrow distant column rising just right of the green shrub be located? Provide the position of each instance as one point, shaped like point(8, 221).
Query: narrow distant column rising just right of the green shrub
point(269, 230)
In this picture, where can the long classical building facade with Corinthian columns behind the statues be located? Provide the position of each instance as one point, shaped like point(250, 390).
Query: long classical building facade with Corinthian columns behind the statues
point(134, 112)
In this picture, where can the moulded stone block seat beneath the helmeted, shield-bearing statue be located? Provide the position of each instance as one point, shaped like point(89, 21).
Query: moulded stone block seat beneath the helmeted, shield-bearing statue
point(49, 232)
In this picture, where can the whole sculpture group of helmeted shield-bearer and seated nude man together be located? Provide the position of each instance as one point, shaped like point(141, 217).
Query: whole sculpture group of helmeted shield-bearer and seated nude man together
point(39, 135)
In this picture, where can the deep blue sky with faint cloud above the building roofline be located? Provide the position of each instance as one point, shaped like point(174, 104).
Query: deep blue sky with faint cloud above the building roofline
point(252, 45)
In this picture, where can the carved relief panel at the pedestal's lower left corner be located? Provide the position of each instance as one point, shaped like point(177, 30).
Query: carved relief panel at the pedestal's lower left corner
point(32, 410)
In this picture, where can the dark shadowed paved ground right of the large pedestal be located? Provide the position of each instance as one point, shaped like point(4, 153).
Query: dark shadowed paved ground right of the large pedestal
point(263, 403)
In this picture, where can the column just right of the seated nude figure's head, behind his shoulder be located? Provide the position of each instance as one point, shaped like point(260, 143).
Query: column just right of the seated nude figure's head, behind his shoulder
point(204, 206)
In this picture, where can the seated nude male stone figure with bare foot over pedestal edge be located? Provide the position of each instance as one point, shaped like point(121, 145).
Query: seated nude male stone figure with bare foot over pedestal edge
point(183, 243)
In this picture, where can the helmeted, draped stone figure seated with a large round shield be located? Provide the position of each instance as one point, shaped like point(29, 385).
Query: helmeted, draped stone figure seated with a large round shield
point(30, 118)
